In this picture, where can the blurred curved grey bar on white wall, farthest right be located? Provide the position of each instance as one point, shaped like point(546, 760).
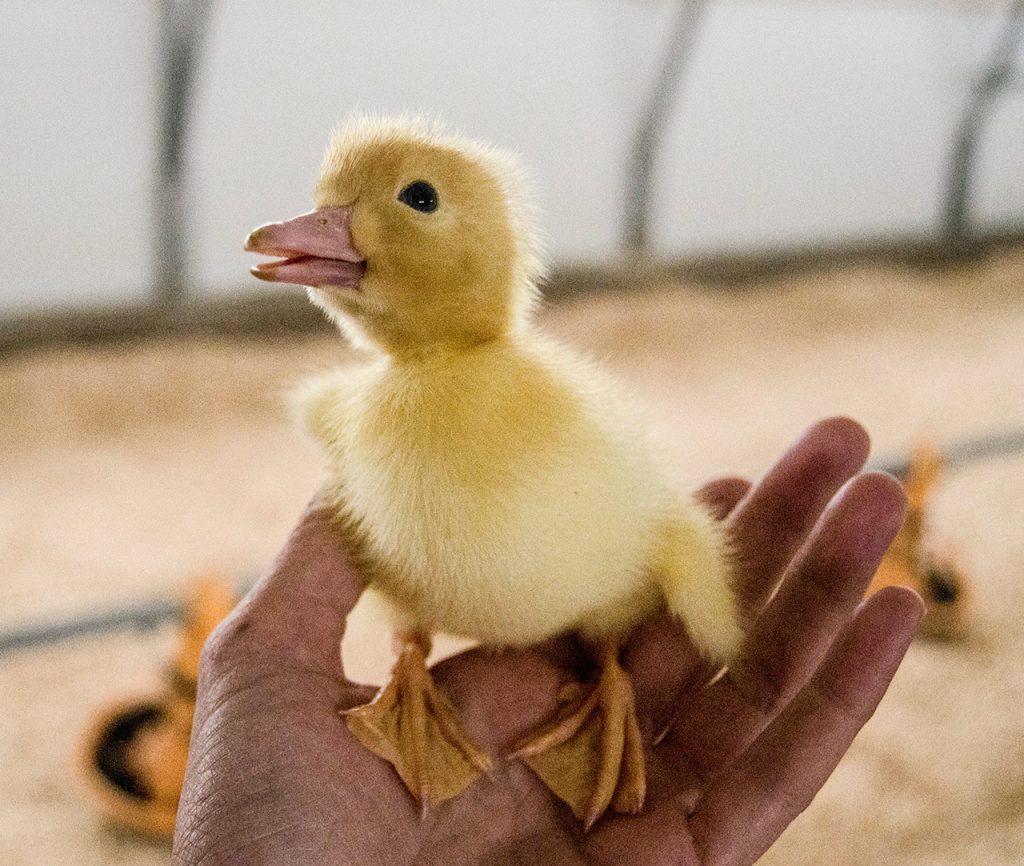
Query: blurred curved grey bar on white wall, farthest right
point(997, 78)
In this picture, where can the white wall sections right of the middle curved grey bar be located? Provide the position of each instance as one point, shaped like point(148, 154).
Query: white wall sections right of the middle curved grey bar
point(801, 123)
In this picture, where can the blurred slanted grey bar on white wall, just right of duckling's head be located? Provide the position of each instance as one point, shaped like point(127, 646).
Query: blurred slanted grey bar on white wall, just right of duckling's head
point(648, 138)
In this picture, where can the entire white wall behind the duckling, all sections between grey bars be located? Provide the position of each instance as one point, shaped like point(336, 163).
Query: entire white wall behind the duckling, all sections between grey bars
point(800, 122)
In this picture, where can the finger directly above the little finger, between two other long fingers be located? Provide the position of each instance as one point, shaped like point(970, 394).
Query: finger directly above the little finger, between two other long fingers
point(787, 643)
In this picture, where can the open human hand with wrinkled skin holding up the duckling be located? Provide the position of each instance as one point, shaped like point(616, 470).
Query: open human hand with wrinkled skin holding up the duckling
point(276, 778)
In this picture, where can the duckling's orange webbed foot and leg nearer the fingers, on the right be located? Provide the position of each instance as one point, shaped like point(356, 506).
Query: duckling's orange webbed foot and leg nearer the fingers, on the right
point(591, 754)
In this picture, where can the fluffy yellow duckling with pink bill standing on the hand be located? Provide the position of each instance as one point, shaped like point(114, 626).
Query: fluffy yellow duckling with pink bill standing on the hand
point(492, 483)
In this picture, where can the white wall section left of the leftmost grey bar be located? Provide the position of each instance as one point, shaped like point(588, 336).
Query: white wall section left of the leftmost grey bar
point(77, 152)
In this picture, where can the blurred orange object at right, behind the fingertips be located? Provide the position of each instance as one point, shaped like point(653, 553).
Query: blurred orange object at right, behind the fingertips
point(934, 574)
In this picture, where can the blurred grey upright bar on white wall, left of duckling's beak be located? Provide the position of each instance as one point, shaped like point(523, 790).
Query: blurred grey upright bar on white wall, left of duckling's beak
point(183, 26)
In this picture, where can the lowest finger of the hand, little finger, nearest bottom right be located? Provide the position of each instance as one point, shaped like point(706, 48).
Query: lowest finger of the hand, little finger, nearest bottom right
point(750, 807)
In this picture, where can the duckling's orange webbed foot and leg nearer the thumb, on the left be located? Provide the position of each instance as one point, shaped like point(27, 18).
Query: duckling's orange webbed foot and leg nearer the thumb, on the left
point(411, 724)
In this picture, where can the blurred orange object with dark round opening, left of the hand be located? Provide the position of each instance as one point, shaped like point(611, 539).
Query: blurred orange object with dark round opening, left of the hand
point(134, 757)
